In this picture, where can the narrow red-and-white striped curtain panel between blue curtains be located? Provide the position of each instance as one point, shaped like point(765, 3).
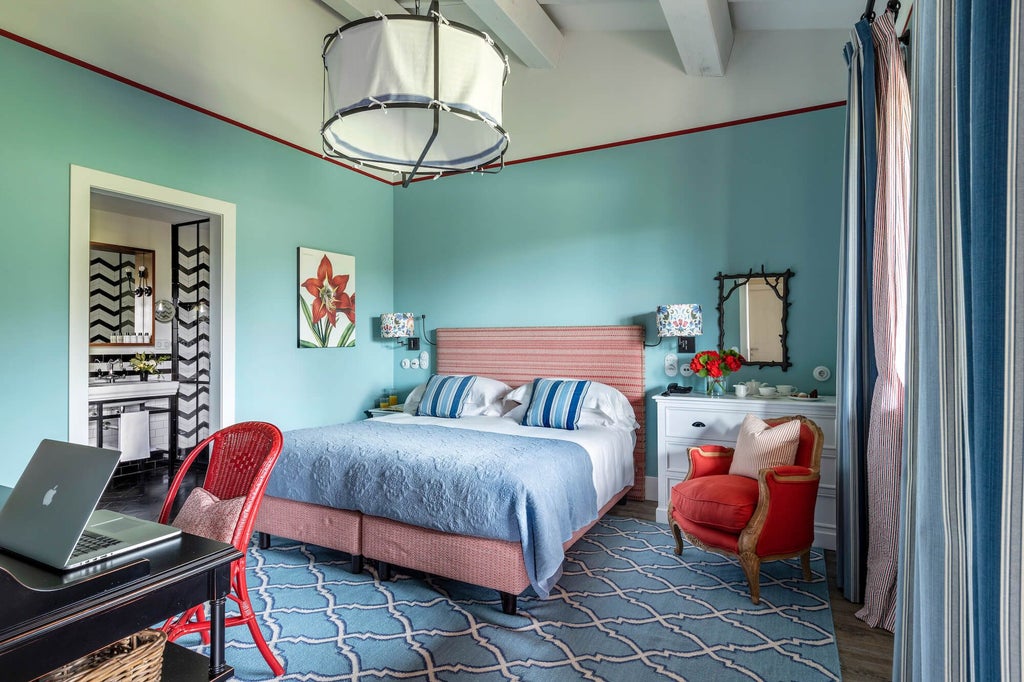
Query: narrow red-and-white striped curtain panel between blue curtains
point(885, 436)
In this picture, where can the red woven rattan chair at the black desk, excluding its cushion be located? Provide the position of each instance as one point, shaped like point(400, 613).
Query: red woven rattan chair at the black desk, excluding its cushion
point(241, 460)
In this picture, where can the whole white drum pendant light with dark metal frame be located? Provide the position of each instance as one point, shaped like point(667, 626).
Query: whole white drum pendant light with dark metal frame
point(414, 95)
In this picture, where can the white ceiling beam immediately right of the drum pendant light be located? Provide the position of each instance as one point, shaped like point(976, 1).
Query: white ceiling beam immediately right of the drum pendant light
point(525, 28)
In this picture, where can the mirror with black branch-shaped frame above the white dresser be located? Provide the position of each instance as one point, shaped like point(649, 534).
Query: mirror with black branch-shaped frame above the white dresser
point(753, 310)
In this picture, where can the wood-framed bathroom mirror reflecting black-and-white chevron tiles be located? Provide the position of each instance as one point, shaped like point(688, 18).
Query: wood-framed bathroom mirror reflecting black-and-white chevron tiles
point(121, 282)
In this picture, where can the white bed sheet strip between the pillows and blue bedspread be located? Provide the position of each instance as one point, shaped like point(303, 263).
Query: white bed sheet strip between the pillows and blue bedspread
point(611, 450)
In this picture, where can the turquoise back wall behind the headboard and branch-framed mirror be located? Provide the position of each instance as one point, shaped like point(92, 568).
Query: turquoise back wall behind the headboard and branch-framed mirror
point(604, 238)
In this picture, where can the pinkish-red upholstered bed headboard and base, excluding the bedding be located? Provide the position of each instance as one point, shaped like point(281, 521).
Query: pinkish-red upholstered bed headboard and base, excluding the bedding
point(612, 356)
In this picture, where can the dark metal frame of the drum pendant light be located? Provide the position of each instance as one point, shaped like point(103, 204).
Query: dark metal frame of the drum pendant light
point(419, 168)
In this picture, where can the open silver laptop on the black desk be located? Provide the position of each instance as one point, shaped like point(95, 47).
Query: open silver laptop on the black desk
point(50, 516)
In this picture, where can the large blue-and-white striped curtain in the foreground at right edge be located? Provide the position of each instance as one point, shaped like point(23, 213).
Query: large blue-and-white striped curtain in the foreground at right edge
point(960, 604)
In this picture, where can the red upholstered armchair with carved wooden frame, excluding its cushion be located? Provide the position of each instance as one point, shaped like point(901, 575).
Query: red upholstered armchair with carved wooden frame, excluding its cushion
point(763, 520)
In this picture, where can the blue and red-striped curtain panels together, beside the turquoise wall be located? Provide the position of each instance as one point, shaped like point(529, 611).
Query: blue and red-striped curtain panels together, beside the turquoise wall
point(873, 299)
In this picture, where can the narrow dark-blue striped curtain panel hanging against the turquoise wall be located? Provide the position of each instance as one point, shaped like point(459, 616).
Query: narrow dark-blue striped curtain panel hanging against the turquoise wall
point(856, 365)
